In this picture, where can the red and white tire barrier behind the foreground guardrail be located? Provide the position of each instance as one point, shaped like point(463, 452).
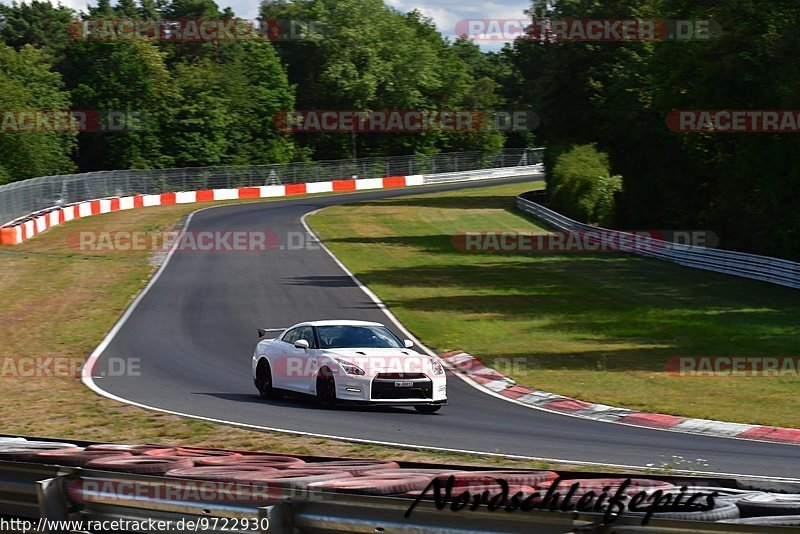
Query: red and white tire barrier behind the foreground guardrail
point(255, 476)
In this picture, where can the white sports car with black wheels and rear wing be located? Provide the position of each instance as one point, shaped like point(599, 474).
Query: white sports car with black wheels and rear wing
point(348, 361)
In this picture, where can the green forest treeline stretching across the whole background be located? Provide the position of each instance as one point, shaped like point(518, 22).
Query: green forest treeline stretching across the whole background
point(215, 103)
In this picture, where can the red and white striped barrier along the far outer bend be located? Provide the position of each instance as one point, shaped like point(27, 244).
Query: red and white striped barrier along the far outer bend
point(29, 226)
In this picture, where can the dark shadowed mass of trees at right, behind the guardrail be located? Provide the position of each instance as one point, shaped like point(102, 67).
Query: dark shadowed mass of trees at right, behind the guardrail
point(617, 95)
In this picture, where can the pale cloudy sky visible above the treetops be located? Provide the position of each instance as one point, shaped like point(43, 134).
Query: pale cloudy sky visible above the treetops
point(445, 13)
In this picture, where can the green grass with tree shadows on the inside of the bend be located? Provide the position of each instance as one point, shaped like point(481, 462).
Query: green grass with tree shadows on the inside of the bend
point(598, 327)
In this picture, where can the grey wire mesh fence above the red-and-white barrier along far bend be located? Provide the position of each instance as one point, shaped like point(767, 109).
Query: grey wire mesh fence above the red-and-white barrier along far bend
point(28, 196)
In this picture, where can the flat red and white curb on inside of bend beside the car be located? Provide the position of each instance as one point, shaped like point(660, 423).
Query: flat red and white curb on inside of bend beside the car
point(472, 369)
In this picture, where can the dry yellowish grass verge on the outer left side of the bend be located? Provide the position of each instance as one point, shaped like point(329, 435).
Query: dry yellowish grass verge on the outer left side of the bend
point(59, 301)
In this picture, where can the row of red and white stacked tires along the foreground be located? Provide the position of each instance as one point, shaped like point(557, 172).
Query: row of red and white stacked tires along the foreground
point(283, 472)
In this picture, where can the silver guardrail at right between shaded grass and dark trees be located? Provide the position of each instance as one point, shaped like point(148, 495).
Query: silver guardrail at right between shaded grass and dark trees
point(763, 268)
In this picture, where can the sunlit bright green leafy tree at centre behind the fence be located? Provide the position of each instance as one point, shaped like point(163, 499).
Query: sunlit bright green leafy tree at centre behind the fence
point(368, 56)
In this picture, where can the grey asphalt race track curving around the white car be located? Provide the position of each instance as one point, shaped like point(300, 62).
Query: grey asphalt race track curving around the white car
point(195, 330)
